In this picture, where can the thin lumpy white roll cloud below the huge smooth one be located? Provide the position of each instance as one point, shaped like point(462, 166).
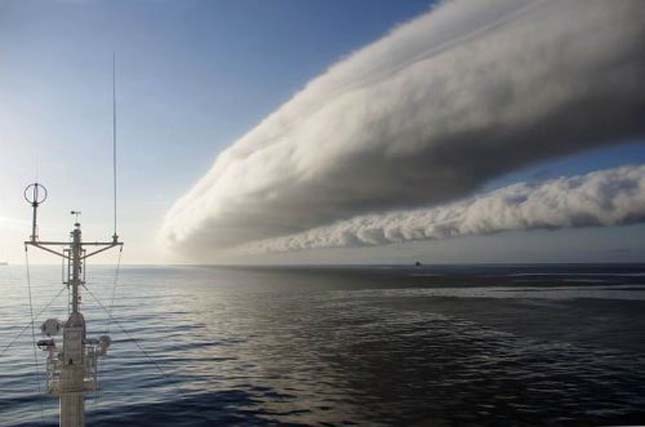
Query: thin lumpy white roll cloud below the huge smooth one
point(610, 197)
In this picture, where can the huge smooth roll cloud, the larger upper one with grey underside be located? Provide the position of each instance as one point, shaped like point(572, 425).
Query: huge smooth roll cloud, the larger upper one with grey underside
point(426, 115)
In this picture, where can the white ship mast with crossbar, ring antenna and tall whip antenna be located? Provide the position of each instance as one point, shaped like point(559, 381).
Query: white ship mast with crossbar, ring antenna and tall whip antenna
point(72, 367)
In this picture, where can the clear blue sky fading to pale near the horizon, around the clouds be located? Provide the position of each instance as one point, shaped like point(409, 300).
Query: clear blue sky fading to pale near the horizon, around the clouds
point(193, 76)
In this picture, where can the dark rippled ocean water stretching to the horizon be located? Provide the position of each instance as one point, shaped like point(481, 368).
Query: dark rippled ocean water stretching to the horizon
point(450, 345)
